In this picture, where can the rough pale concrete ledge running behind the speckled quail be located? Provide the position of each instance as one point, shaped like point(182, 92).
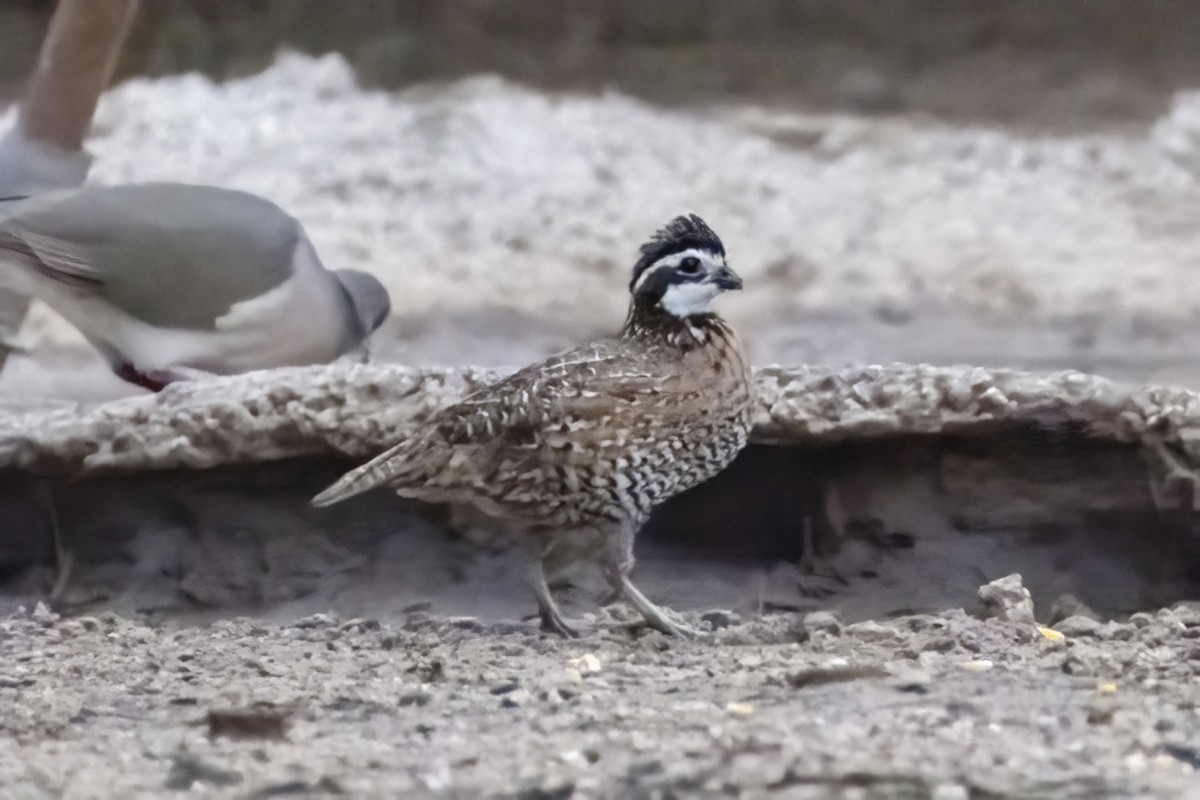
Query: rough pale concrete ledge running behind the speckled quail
point(359, 410)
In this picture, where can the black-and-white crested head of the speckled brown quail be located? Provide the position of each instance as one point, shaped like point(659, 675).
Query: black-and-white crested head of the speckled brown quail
point(682, 269)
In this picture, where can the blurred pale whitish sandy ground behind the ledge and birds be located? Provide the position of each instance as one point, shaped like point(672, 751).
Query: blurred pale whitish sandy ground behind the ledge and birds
point(505, 220)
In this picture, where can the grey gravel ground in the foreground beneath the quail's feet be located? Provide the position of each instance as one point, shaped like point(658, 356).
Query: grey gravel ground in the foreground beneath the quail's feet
point(941, 707)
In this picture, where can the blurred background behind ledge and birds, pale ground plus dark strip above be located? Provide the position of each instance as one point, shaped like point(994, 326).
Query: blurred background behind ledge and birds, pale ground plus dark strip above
point(994, 184)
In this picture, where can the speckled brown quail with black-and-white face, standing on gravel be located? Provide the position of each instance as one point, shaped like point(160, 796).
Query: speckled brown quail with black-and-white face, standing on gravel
point(595, 440)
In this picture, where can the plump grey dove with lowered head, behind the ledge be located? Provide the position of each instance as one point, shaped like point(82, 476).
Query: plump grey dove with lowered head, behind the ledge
point(170, 281)
